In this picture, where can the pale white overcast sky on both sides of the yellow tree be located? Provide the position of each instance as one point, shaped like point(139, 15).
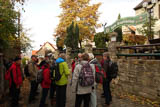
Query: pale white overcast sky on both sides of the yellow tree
point(40, 17)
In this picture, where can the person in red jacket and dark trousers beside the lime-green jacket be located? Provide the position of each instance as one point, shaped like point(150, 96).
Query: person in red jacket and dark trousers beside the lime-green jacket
point(46, 83)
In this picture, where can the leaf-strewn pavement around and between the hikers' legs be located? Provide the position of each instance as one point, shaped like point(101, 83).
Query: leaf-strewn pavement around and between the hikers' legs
point(117, 101)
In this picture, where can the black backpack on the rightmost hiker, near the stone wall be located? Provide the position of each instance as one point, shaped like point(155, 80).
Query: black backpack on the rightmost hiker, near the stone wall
point(113, 69)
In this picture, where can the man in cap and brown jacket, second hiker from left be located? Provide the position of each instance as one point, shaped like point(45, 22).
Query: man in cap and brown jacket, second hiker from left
point(32, 67)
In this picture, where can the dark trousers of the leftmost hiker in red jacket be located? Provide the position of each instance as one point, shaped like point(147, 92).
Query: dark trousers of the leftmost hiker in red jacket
point(15, 96)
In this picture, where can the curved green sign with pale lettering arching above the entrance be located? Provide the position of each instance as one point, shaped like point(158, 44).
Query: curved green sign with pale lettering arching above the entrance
point(140, 19)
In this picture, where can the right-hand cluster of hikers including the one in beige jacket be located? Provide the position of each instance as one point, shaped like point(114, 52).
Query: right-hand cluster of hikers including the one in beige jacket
point(87, 94)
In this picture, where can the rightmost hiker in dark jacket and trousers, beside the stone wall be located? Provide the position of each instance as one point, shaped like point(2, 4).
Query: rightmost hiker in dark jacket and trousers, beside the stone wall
point(107, 91)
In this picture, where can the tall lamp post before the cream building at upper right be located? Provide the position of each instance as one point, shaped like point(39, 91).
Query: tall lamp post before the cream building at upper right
point(149, 10)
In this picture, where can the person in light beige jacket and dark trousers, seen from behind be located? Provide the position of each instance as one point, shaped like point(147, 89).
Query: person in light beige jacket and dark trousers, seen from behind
point(82, 93)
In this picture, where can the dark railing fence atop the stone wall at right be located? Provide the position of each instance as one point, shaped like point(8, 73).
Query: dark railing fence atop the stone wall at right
point(147, 51)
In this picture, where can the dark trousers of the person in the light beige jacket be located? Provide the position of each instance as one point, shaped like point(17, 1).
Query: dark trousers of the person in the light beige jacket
point(83, 97)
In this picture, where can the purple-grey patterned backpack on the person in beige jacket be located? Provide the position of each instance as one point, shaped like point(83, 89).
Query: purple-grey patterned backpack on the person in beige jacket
point(86, 77)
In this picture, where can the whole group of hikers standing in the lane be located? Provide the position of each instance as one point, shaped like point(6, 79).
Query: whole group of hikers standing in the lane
point(83, 82)
